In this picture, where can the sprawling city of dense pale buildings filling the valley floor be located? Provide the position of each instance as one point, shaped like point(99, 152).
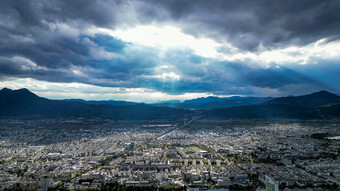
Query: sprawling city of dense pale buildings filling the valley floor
point(81, 155)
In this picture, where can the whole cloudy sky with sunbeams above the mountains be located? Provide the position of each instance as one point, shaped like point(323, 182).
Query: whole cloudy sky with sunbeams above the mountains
point(159, 50)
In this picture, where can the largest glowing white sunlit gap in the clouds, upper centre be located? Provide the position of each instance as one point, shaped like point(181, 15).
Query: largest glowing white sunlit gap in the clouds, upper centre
point(163, 37)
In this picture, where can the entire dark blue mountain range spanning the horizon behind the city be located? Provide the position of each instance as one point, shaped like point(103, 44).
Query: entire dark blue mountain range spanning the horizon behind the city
point(24, 104)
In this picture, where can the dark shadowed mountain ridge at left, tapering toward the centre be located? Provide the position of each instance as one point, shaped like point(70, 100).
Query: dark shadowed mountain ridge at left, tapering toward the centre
point(24, 104)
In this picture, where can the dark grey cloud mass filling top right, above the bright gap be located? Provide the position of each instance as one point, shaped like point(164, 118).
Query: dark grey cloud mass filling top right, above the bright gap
point(248, 24)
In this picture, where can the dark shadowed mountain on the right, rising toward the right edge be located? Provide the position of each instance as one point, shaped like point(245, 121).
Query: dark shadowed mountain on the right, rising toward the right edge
point(319, 105)
